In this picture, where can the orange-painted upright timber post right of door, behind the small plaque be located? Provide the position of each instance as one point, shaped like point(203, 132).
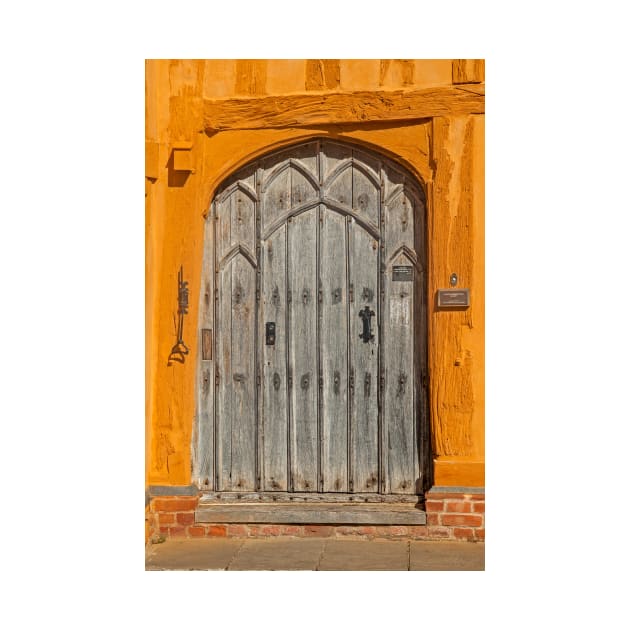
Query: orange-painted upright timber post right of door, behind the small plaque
point(452, 392)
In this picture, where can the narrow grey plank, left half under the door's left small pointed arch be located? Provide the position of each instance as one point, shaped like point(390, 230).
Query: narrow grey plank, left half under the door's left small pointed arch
point(224, 413)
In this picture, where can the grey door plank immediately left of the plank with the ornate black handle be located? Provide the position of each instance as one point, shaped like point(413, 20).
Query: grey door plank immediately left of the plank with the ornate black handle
point(334, 351)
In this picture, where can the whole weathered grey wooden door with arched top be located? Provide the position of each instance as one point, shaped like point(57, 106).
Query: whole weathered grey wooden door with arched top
point(314, 285)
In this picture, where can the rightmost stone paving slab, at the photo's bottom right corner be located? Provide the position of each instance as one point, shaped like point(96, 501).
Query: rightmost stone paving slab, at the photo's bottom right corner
point(446, 556)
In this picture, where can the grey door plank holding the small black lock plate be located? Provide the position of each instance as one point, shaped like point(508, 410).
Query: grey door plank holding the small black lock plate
point(274, 359)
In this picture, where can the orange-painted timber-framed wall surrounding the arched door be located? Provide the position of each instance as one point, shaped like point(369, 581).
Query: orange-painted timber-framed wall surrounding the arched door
point(186, 161)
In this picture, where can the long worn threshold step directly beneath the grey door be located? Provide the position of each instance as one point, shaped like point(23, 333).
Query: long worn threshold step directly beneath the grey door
point(311, 513)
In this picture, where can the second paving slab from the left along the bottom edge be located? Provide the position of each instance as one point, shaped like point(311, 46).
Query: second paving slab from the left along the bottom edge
point(278, 555)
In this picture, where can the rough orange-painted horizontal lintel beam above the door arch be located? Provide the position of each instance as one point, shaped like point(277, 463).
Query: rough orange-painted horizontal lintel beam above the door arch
point(303, 110)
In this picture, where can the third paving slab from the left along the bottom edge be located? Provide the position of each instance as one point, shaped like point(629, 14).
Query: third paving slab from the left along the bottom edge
point(365, 555)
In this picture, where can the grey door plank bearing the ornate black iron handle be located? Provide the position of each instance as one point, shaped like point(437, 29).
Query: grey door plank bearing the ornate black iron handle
point(363, 271)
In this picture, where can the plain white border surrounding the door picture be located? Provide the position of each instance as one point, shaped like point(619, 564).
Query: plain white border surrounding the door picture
point(72, 358)
